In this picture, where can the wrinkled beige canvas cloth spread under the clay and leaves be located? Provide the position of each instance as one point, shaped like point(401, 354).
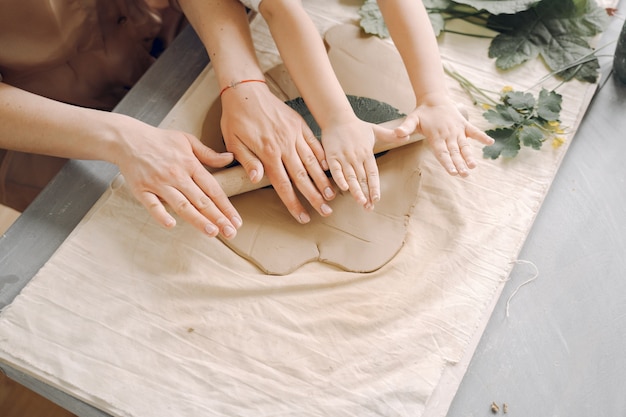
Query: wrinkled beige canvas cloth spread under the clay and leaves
point(141, 321)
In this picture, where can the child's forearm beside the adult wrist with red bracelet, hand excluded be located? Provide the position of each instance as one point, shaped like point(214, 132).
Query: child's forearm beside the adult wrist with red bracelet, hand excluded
point(305, 57)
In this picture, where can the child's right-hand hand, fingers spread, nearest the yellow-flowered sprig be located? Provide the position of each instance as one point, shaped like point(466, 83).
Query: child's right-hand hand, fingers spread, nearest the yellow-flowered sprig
point(448, 133)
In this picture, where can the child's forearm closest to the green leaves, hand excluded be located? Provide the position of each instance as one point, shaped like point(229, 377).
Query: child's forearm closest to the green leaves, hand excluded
point(414, 38)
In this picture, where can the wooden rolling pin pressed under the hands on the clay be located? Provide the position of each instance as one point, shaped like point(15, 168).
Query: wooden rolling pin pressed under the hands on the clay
point(235, 181)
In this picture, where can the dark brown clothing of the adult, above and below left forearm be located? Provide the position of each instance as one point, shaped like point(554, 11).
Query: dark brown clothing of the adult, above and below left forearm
point(82, 52)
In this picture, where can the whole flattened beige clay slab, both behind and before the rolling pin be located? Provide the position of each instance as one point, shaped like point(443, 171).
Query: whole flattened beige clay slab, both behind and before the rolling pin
point(351, 238)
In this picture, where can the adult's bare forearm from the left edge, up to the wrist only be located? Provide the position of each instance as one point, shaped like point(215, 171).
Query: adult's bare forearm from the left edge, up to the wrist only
point(34, 124)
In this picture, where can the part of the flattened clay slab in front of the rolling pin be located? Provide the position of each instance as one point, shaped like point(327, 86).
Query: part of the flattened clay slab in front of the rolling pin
point(352, 238)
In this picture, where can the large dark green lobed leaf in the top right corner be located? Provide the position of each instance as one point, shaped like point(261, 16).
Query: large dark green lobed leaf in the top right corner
point(554, 29)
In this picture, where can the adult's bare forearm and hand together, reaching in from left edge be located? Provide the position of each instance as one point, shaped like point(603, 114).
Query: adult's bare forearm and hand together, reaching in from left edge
point(158, 165)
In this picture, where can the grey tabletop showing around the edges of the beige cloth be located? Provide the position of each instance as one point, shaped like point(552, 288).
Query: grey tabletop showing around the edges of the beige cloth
point(560, 350)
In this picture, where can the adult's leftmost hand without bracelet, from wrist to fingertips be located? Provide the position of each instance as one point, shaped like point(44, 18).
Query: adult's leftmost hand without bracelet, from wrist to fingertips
point(167, 166)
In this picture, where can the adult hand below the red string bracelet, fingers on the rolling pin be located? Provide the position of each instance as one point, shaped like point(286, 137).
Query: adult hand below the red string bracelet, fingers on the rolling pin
point(268, 137)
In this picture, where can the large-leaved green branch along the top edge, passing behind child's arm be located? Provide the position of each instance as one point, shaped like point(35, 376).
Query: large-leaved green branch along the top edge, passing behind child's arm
point(557, 31)
